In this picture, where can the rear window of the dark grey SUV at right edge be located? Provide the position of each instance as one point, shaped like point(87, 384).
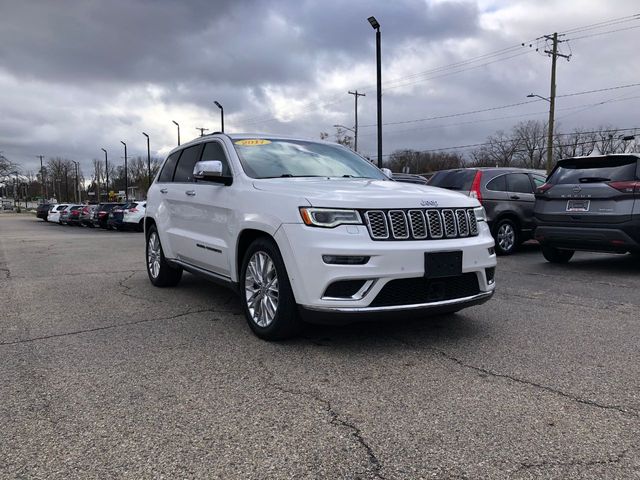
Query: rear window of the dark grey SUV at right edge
point(595, 169)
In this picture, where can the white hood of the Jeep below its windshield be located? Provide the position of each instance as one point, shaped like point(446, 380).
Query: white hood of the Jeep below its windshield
point(364, 193)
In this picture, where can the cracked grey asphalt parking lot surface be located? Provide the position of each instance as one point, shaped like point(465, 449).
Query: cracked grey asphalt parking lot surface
point(105, 376)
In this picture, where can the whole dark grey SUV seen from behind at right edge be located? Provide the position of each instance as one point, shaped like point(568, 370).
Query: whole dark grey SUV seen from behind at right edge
point(590, 203)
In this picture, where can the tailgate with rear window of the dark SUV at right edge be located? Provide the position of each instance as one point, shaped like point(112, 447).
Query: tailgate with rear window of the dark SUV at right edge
point(590, 190)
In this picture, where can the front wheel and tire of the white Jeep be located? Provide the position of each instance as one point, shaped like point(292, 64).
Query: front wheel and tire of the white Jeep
point(266, 295)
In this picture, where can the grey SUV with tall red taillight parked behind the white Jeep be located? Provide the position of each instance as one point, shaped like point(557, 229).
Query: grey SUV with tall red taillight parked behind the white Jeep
point(507, 195)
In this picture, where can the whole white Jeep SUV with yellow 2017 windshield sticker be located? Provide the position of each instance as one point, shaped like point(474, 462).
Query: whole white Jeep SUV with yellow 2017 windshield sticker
point(311, 230)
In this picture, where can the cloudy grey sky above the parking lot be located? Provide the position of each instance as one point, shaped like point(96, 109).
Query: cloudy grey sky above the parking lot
point(76, 76)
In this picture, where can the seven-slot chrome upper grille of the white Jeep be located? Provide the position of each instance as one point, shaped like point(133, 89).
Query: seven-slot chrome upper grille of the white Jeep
point(418, 224)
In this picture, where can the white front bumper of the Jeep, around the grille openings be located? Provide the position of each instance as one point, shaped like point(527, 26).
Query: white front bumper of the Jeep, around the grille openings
point(303, 248)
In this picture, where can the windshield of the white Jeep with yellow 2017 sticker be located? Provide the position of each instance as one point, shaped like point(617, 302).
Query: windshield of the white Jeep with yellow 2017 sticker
point(262, 158)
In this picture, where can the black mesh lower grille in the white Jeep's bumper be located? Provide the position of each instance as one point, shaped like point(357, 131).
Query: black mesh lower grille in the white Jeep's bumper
point(410, 291)
